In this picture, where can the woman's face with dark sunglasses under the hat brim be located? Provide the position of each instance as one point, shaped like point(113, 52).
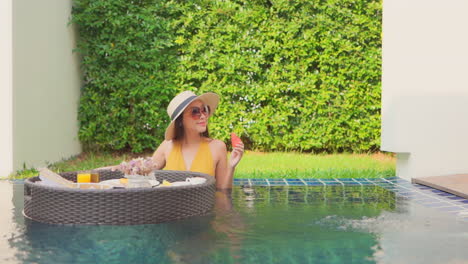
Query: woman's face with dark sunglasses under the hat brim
point(196, 117)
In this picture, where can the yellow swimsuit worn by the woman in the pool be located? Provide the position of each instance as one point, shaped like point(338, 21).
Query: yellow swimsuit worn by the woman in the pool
point(203, 161)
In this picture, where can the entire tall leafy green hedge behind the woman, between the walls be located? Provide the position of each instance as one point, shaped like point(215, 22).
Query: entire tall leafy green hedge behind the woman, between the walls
point(293, 75)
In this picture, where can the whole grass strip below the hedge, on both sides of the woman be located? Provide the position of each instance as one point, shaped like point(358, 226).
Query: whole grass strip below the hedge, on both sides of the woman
point(260, 165)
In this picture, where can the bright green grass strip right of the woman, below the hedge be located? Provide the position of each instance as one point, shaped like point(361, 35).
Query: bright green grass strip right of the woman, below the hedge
point(300, 165)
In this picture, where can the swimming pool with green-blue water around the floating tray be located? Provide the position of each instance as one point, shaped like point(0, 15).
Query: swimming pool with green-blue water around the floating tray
point(269, 221)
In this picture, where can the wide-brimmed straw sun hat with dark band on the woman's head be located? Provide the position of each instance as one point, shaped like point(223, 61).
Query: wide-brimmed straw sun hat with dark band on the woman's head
point(178, 104)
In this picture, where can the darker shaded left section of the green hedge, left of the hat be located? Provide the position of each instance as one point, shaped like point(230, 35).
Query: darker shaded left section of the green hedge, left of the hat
point(128, 64)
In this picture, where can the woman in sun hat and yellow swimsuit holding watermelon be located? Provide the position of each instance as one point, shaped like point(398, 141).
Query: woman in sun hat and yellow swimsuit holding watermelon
point(187, 145)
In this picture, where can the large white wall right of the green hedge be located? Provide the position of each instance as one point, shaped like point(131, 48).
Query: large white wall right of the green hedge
point(424, 88)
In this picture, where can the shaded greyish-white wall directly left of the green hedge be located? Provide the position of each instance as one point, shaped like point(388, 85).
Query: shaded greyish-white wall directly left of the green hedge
point(46, 83)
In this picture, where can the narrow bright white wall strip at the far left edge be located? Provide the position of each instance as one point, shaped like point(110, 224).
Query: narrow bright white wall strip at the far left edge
point(6, 86)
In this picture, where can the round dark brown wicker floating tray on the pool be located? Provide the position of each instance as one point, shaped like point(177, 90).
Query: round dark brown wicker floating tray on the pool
point(57, 205)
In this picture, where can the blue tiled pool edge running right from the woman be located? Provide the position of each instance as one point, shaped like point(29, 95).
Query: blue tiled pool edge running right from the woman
point(424, 195)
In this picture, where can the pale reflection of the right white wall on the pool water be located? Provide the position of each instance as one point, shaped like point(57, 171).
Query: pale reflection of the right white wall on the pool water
point(411, 233)
